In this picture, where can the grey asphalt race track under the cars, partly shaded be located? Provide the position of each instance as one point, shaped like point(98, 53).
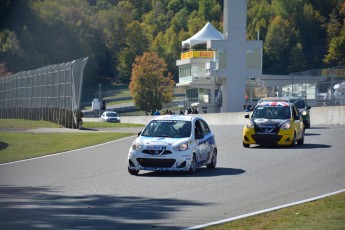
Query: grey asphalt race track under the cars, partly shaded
point(91, 189)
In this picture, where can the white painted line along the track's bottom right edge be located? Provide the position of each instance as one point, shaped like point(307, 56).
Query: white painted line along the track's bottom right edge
point(263, 211)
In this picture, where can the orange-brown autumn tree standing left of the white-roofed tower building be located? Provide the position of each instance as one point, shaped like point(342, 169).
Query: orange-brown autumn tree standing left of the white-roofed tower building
point(149, 87)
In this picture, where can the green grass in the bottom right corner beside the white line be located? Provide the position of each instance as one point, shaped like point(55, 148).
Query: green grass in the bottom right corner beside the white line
point(326, 213)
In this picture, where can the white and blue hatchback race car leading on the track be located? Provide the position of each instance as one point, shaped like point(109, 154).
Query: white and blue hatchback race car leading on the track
point(173, 143)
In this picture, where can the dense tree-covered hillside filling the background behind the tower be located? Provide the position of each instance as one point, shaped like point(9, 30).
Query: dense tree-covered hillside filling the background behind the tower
point(297, 34)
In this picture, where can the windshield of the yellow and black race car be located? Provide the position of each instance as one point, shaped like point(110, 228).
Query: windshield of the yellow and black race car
point(272, 112)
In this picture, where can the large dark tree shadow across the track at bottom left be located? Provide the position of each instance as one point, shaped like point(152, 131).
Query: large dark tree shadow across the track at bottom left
point(41, 208)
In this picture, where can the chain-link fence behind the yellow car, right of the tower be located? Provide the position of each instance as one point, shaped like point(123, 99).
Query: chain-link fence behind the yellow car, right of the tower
point(320, 87)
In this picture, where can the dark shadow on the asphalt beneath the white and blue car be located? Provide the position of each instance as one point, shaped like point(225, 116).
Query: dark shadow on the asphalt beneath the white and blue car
point(200, 172)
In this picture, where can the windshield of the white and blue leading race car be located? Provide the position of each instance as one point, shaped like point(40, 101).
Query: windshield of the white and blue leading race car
point(170, 128)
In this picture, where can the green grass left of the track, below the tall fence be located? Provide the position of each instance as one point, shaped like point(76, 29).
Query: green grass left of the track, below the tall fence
point(20, 145)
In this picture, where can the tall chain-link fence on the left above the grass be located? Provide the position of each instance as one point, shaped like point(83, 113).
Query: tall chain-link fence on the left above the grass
point(51, 93)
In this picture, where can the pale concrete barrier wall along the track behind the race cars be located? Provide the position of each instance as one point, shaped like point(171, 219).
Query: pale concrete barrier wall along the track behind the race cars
point(333, 115)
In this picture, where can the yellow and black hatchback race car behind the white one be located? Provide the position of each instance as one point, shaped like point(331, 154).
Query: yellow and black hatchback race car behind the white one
point(273, 123)
